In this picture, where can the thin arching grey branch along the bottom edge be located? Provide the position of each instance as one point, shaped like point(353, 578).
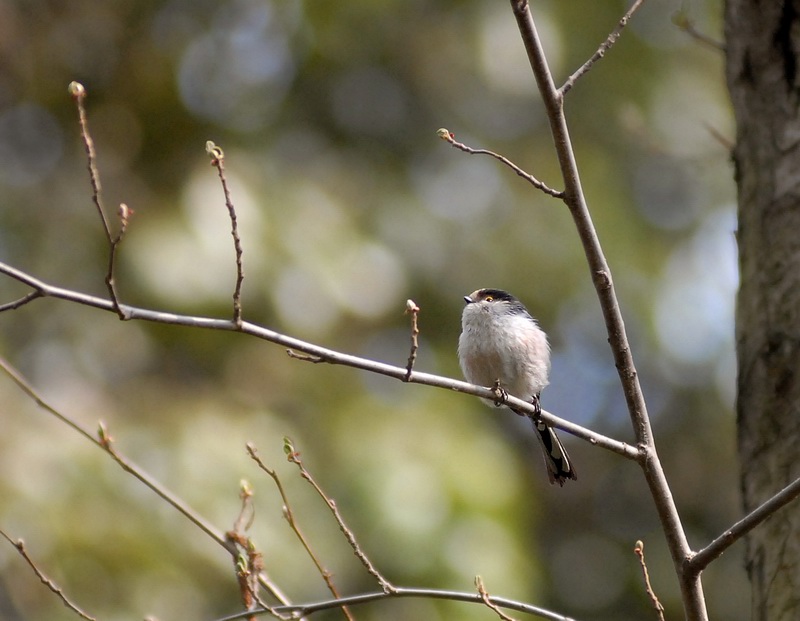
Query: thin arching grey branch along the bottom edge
point(297, 610)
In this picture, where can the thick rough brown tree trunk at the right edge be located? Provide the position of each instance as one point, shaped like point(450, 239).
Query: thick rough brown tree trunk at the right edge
point(762, 43)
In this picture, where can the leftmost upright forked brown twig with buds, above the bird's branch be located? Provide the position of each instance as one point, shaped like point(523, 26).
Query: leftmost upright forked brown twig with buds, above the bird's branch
point(78, 94)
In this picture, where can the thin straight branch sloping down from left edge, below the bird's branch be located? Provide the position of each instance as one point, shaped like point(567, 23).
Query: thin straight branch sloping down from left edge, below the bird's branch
point(105, 441)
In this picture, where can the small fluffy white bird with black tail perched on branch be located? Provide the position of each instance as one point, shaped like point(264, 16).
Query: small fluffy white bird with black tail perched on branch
point(502, 346)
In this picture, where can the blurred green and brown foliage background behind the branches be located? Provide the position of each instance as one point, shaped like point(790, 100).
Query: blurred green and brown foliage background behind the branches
point(349, 204)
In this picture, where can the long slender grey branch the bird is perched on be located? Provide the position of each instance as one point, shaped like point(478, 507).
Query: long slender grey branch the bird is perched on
point(316, 353)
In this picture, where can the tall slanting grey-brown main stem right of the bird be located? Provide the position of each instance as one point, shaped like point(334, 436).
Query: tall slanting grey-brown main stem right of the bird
point(691, 587)
